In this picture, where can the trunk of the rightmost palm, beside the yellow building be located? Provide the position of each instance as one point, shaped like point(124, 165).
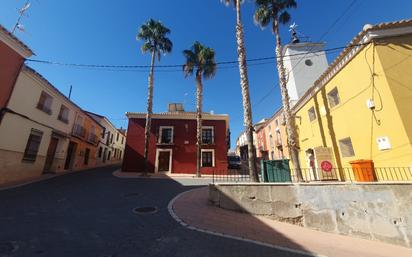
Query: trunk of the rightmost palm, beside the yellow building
point(289, 117)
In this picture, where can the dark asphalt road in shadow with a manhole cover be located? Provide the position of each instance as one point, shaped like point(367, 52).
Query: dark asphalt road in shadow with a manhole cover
point(89, 214)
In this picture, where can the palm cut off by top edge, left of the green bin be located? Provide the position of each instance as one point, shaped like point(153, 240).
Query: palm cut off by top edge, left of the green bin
point(244, 84)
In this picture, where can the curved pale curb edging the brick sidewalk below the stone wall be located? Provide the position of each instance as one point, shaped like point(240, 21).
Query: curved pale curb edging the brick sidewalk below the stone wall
point(181, 222)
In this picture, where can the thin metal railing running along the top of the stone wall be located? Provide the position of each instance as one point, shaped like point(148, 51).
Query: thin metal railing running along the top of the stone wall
point(353, 175)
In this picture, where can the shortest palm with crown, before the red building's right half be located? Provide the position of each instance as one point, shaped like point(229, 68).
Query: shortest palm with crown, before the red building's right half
point(200, 60)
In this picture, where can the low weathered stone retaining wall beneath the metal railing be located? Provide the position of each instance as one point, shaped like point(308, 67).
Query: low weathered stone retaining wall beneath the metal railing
point(373, 211)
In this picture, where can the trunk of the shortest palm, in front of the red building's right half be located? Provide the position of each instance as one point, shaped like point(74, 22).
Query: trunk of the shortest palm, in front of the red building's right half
point(199, 97)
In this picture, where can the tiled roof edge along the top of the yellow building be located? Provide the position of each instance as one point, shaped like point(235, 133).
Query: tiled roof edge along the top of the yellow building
point(355, 45)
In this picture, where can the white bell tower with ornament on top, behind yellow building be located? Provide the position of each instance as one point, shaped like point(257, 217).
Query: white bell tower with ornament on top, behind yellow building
point(304, 63)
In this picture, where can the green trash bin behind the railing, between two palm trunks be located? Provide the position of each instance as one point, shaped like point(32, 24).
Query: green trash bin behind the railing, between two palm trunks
point(276, 171)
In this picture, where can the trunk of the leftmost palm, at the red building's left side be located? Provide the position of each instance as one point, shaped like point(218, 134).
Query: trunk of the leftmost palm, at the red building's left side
point(149, 115)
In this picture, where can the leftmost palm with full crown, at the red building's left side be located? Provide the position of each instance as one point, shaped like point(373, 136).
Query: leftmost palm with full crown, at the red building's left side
point(154, 34)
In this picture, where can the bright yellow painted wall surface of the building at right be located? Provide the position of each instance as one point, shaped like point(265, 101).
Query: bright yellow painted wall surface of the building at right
point(351, 118)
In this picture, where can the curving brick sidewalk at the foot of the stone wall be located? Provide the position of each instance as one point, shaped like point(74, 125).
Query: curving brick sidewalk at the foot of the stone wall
point(193, 210)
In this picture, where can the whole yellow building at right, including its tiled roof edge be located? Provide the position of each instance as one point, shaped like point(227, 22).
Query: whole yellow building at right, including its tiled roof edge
point(361, 107)
